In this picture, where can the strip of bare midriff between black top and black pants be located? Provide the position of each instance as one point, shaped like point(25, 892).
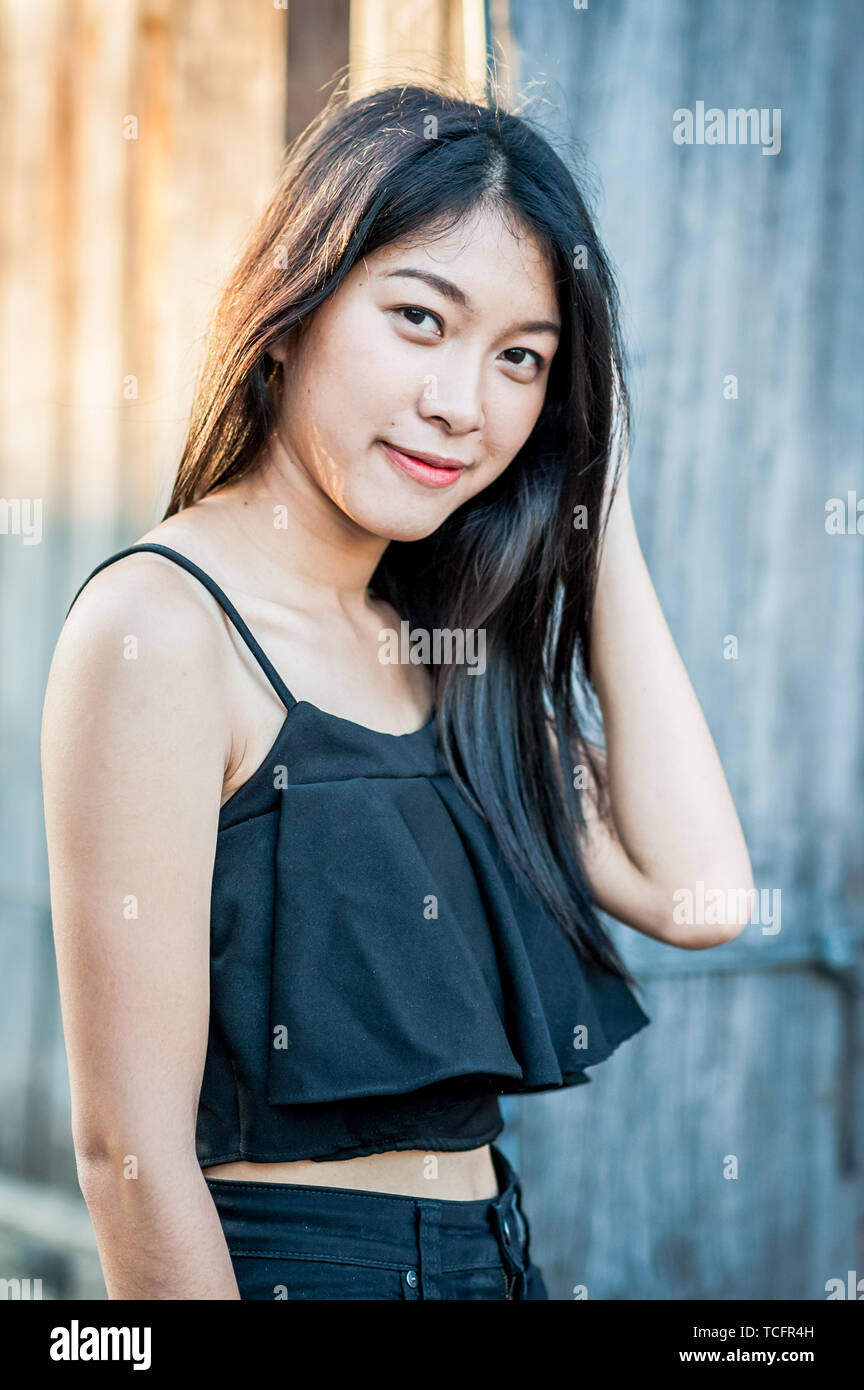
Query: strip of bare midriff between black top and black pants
point(413, 1172)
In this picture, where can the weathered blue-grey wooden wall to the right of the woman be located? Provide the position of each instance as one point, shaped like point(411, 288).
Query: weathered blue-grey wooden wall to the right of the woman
point(731, 263)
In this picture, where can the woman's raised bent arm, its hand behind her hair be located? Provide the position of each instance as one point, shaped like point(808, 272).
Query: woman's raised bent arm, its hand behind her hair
point(674, 825)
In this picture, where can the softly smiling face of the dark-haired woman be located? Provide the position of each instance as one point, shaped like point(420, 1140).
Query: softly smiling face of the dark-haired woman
point(438, 350)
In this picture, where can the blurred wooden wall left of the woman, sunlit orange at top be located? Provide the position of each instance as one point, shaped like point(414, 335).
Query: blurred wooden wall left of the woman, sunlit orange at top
point(138, 140)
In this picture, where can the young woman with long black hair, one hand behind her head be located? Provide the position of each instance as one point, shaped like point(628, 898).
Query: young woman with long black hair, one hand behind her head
point(327, 832)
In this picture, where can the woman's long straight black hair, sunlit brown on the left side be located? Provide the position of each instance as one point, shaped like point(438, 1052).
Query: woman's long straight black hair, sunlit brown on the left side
point(520, 559)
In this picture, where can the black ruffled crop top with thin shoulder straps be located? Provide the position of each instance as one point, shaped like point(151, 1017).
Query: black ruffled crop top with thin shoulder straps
point(377, 975)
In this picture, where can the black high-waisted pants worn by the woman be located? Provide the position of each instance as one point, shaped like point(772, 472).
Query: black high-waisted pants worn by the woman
point(294, 1242)
